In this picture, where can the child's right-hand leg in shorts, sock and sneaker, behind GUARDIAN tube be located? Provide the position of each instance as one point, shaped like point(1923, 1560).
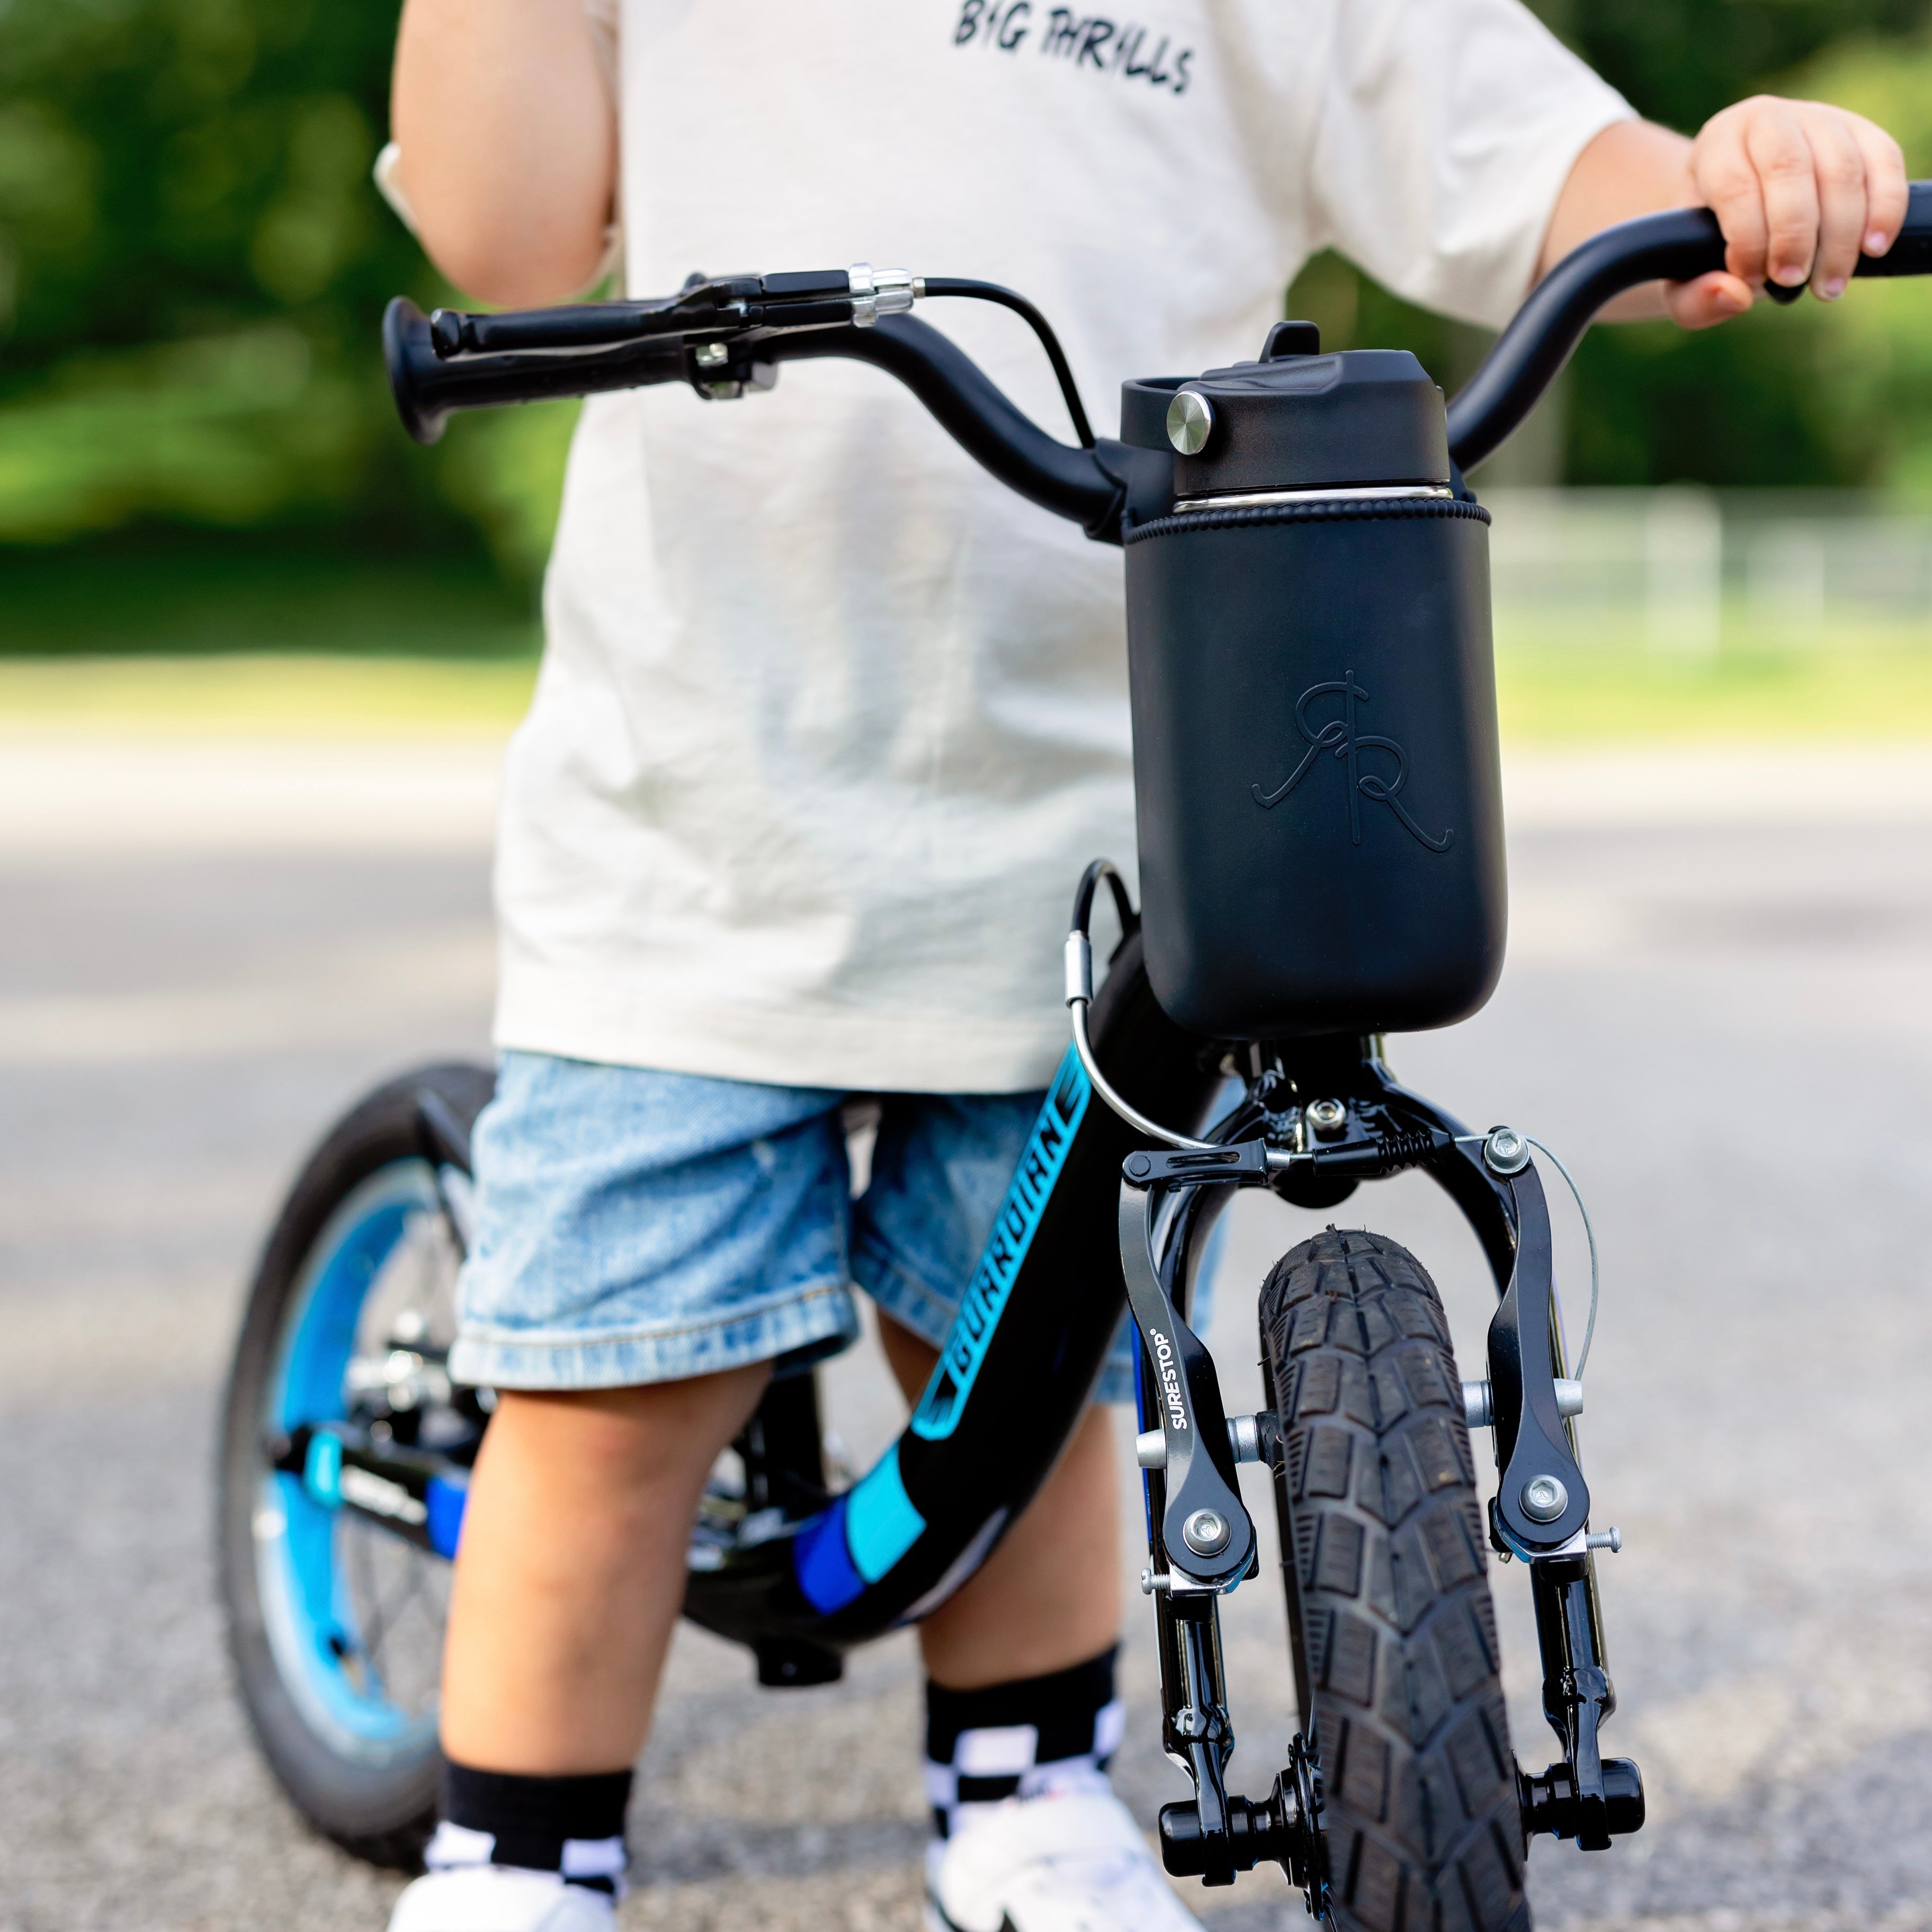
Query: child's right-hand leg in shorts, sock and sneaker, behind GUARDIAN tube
point(1021, 1705)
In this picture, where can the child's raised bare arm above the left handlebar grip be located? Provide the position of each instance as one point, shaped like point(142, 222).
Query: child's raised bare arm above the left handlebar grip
point(509, 144)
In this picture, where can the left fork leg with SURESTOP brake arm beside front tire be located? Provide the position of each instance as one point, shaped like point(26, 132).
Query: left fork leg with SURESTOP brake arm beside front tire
point(1203, 1539)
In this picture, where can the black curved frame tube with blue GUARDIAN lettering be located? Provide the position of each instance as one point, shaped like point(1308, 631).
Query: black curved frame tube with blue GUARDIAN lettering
point(1013, 1378)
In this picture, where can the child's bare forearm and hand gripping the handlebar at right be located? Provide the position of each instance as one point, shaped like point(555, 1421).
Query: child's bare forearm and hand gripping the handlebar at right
point(1800, 188)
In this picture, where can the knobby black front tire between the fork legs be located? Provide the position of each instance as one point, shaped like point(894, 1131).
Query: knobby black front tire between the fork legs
point(1390, 1614)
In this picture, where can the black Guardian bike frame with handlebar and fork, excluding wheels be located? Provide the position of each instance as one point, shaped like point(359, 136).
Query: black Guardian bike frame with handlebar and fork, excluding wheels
point(803, 1576)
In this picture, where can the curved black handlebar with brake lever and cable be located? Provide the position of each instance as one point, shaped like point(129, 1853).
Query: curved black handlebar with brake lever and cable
point(725, 337)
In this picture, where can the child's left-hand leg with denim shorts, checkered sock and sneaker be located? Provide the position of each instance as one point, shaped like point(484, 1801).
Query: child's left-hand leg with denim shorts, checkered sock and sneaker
point(646, 1245)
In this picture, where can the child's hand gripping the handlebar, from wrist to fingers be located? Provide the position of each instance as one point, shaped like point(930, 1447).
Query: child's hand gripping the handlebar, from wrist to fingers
point(1802, 190)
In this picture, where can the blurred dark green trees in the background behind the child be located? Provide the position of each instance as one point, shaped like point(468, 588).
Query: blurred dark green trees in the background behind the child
point(194, 266)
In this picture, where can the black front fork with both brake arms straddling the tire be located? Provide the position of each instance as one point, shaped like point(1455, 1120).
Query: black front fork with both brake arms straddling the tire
point(1317, 1122)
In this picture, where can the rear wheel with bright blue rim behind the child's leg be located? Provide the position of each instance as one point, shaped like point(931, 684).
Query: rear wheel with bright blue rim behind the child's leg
point(335, 1624)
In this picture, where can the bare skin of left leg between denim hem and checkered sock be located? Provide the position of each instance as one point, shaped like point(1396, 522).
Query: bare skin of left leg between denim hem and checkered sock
point(571, 1572)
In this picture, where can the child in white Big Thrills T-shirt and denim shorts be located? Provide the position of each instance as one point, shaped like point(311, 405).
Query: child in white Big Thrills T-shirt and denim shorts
point(826, 729)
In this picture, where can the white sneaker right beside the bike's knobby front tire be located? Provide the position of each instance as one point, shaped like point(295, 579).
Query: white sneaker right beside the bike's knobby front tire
point(1052, 1865)
